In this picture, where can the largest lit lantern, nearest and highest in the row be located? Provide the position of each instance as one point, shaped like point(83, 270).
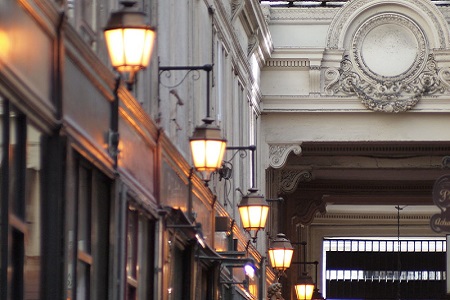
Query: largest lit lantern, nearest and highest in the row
point(129, 41)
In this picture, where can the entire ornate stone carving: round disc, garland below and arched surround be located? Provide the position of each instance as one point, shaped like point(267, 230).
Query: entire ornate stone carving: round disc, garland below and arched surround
point(389, 67)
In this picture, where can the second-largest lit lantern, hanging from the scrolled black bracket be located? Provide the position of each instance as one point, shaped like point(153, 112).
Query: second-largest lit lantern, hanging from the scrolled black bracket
point(207, 148)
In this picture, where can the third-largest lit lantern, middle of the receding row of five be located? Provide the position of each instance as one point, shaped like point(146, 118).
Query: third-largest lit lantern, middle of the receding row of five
point(253, 209)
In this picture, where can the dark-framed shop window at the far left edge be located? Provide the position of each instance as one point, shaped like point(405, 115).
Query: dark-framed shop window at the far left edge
point(20, 209)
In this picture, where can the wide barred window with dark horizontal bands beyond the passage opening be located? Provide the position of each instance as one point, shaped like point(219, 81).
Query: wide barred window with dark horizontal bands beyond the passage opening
point(377, 269)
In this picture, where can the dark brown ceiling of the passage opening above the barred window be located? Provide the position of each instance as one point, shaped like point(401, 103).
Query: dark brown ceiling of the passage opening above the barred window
point(370, 177)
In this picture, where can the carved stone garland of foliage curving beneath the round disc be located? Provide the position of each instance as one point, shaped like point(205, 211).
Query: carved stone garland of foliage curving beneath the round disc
point(388, 95)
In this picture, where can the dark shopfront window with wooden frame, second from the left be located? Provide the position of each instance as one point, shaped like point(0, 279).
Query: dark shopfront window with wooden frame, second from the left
point(93, 189)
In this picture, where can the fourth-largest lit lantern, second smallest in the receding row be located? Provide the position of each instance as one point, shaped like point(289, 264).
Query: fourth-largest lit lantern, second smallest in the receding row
point(280, 253)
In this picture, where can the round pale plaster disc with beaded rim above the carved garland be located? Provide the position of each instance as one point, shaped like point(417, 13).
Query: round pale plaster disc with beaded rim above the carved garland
point(389, 47)
